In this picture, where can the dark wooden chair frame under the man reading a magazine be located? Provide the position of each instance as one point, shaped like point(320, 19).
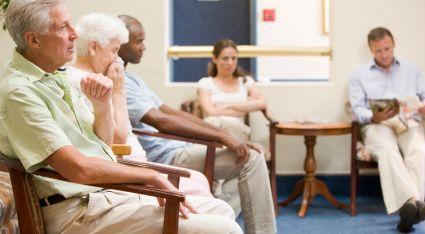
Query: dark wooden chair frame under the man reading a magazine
point(356, 165)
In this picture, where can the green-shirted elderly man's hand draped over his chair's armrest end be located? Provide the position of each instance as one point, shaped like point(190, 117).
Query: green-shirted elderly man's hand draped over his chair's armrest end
point(159, 181)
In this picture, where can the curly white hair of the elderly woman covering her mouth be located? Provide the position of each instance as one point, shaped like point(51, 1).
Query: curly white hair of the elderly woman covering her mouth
point(99, 28)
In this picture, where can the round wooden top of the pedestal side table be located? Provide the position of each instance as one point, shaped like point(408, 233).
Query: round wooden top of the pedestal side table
point(313, 129)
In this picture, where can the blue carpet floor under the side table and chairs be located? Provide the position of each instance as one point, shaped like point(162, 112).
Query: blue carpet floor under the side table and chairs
point(322, 217)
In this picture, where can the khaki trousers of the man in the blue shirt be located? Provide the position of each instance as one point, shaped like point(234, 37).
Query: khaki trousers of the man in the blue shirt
point(253, 183)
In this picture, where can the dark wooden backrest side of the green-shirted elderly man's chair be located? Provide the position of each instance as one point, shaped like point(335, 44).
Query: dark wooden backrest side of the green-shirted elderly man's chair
point(26, 200)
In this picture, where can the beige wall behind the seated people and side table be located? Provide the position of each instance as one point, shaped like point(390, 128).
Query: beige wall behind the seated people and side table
point(352, 19)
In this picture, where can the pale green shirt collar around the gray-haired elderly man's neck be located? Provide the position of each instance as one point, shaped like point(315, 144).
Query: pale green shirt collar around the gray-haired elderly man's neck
point(35, 73)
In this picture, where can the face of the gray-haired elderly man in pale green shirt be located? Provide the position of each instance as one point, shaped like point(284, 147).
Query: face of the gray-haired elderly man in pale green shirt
point(57, 45)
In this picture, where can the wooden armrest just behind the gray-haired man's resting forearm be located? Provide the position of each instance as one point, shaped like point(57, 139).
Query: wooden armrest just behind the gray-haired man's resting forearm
point(165, 169)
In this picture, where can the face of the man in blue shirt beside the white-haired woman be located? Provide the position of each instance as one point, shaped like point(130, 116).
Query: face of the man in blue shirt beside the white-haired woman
point(132, 51)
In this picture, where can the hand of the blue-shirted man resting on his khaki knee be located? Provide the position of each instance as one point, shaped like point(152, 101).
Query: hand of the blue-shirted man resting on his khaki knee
point(240, 148)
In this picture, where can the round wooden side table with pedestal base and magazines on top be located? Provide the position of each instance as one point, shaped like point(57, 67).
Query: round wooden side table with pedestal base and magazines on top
point(309, 187)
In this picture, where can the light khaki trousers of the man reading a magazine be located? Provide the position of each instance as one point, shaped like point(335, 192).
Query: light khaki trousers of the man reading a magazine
point(401, 162)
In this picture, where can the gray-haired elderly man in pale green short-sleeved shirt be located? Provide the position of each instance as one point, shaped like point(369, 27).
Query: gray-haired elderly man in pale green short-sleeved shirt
point(44, 123)
